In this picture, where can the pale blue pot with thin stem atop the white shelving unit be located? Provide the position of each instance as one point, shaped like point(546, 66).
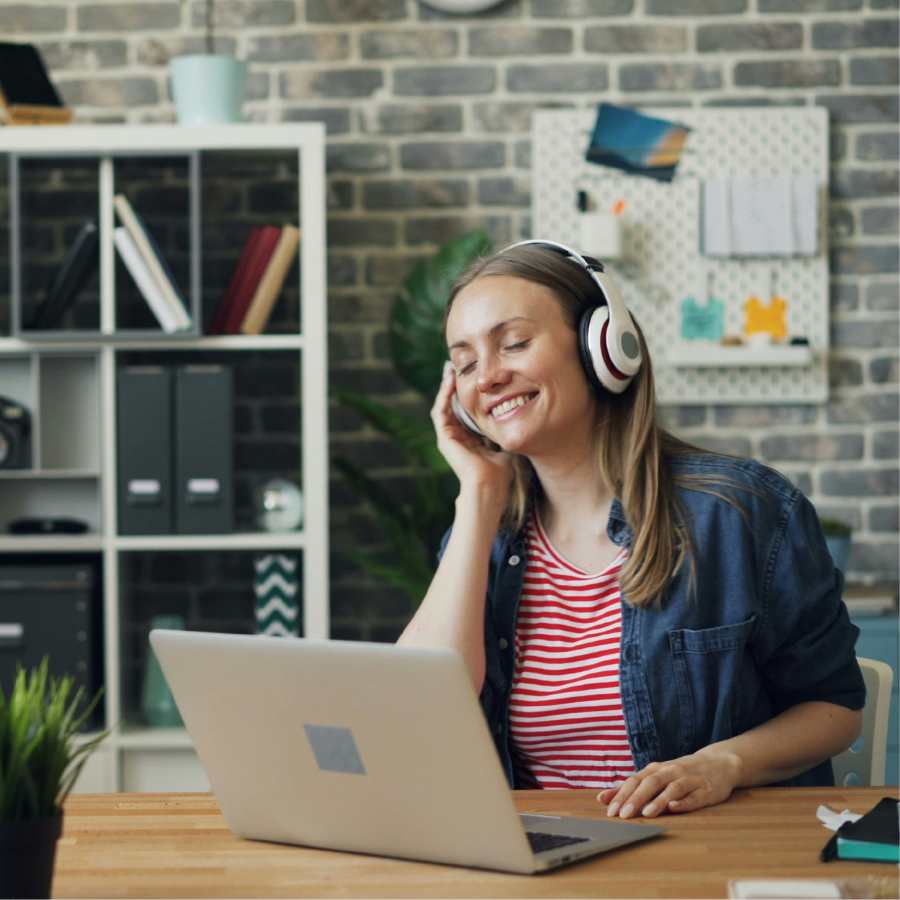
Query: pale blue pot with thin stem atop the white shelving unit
point(208, 87)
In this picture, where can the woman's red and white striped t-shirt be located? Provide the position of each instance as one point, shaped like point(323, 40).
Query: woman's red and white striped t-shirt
point(566, 722)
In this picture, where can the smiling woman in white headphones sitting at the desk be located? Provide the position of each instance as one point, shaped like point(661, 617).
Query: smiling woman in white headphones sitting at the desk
point(638, 615)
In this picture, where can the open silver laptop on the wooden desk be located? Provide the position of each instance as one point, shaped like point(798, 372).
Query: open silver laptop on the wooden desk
point(368, 748)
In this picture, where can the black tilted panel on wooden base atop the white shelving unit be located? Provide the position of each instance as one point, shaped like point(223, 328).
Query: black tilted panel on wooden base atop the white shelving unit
point(27, 96)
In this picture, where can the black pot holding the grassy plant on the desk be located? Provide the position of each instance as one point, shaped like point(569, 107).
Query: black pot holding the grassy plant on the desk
point(27, 855)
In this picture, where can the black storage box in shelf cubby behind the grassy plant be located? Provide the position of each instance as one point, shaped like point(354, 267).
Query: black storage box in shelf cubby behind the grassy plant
point(52, 610)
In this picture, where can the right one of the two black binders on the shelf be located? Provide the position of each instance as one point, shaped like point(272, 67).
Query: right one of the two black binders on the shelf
point(203, 450)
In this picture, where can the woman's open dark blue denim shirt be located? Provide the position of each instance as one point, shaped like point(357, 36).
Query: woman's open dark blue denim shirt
point(765, 629)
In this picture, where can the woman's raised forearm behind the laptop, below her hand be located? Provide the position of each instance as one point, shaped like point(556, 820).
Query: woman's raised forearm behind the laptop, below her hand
point(452, 613)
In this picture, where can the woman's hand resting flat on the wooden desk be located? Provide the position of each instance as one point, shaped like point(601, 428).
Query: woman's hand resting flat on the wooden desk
point(679, 785)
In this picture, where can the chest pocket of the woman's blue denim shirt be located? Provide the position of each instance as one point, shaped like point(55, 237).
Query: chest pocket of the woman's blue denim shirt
point(707, 666)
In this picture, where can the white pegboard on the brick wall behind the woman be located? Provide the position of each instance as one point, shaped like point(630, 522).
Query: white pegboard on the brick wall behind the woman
point(661, 262)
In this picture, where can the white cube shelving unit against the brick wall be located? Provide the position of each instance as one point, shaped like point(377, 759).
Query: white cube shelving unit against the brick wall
point(59, 369)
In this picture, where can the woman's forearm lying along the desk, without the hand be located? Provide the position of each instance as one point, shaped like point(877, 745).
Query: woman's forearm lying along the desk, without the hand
point(792, 742)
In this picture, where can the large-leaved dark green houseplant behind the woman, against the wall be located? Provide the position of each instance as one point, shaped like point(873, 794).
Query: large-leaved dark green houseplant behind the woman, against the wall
point(412, 530)
